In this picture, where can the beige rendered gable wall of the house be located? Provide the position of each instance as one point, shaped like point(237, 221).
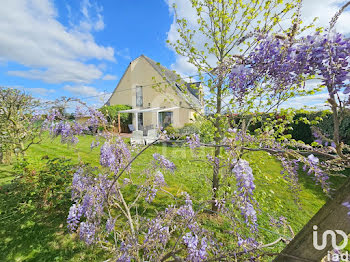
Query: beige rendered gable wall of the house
point(140, 72)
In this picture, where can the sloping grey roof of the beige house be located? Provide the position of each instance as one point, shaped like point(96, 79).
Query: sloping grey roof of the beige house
point(191, 92)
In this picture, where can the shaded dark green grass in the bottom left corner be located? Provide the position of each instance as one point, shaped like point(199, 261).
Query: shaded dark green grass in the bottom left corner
point(31, 234)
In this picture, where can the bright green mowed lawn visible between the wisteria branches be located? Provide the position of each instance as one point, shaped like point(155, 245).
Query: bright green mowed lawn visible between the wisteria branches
point(35, 235)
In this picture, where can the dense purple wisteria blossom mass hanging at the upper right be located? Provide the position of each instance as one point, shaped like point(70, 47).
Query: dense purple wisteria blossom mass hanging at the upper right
point(281, 64)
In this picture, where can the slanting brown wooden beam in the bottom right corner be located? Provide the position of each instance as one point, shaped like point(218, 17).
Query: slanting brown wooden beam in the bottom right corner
point(332, 216)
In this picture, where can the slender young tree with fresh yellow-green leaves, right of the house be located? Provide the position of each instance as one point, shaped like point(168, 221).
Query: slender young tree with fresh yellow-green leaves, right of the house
point(226, 30)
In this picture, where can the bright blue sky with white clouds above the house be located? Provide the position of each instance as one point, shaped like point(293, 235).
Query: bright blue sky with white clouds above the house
point(53, 48)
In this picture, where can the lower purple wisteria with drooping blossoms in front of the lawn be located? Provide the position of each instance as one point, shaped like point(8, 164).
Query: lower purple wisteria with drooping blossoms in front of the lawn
point(105, 214)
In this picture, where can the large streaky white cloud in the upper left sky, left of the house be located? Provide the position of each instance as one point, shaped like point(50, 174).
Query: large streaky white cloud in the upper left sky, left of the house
point(31, 35)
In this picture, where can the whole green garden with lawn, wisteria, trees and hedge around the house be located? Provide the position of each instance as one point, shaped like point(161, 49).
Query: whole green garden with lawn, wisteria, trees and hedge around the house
point(246, 181)
